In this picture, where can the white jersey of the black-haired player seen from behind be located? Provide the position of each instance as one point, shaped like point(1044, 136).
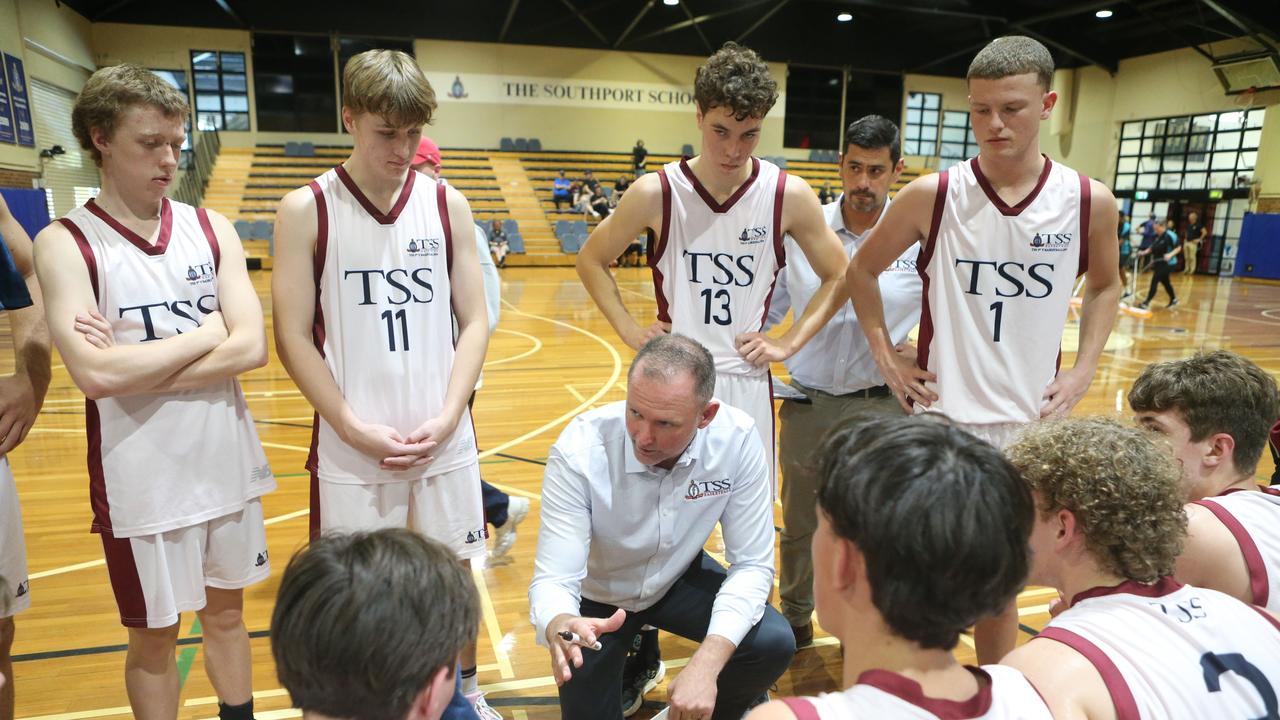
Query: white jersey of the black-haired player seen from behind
point(1004, 695)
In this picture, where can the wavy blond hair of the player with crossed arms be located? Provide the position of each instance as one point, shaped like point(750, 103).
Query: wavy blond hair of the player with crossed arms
point(111, 92)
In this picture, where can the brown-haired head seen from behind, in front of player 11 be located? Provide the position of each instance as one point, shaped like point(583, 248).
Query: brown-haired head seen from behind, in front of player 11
point(428, 604)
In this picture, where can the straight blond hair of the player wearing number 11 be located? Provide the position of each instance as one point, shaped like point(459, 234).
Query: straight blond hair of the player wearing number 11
point(388, 84)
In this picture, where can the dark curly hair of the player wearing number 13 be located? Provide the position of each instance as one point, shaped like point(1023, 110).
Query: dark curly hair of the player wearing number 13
point(737, 79)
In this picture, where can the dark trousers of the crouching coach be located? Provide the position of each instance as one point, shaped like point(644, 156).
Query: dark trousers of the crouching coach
point(765, 654)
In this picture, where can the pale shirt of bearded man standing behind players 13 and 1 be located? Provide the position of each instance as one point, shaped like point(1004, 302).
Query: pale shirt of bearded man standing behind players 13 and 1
point(839, 359)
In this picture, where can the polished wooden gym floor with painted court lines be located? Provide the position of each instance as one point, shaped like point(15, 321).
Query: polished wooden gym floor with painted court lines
point(552, 358)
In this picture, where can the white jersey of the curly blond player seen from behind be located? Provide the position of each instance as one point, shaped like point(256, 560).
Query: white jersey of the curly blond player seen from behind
point(1176, 651)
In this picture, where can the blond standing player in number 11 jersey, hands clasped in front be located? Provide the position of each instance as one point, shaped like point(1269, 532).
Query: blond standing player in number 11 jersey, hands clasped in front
point(374, 263)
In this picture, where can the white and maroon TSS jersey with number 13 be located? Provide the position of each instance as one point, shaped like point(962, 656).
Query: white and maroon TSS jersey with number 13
point(715, 265)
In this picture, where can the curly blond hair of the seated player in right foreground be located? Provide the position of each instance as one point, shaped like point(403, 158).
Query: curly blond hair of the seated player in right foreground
point(1122, 487)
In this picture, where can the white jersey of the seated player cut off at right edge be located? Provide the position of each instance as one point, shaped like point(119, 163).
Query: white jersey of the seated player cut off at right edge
point(1254, 520)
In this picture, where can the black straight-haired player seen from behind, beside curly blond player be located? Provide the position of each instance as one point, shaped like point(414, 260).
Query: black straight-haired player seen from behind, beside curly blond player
point(922, 530)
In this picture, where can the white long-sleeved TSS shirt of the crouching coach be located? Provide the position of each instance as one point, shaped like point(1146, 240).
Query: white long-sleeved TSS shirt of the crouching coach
point(621, 534)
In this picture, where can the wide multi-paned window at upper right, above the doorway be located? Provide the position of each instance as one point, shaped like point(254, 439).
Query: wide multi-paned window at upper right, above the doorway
point(1210, 152)
